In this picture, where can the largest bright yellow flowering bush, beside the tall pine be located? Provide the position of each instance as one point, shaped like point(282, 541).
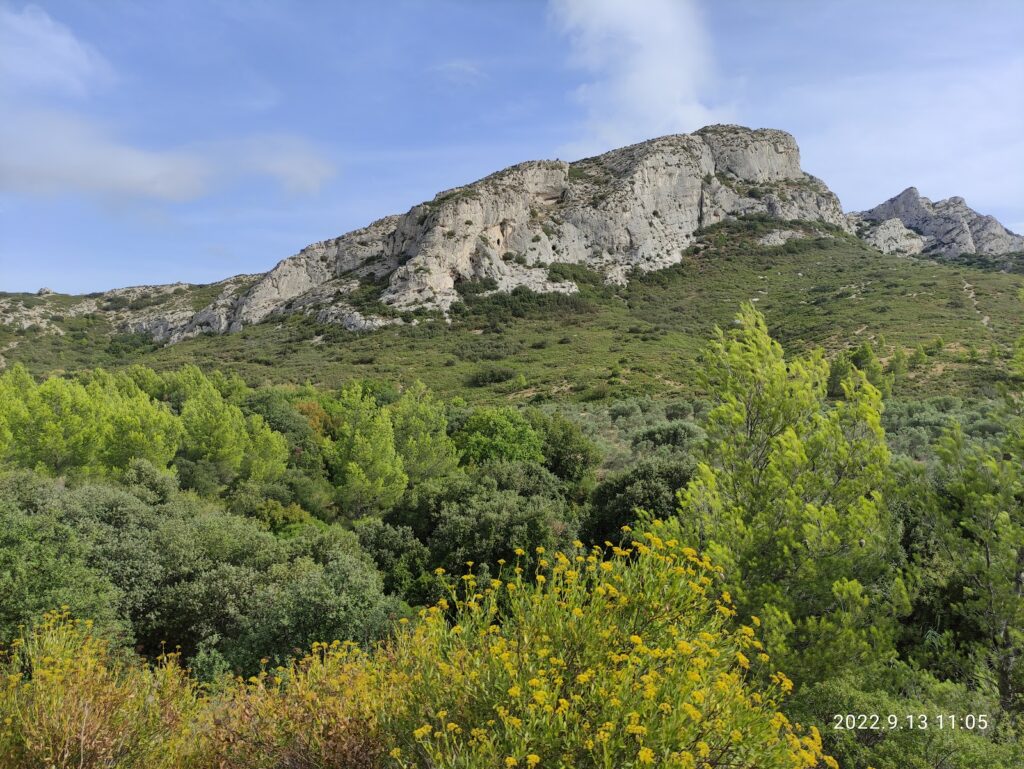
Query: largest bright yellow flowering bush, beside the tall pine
point(619, 660)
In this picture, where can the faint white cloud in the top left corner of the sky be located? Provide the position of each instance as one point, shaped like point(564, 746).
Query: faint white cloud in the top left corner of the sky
point(39, 55)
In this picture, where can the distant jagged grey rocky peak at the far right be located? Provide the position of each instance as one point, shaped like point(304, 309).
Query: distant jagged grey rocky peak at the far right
point(949, 228)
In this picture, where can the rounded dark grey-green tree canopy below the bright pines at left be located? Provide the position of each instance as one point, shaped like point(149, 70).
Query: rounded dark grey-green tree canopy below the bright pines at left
point(181, 573)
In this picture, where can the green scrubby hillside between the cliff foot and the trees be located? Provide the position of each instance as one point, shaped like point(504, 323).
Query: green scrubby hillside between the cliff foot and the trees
point(612, 343)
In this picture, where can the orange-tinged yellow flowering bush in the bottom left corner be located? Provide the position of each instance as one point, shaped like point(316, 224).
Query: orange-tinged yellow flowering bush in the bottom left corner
point(64, 705)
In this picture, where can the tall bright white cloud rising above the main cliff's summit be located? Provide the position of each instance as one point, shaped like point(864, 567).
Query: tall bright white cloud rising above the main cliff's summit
point(650, 66)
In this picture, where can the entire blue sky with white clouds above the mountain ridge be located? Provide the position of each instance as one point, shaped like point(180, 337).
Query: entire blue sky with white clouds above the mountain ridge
point(146, 142)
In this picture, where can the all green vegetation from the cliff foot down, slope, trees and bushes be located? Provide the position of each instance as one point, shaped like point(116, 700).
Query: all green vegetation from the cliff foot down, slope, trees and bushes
point(696, 520)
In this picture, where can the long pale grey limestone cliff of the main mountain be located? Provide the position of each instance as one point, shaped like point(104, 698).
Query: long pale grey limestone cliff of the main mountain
point(637, 208)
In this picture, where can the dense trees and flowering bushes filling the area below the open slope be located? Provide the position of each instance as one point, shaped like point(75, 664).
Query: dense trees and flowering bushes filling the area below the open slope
point(199, 573)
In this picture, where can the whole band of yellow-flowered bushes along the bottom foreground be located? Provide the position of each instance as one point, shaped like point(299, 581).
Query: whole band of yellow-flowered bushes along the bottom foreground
point(622, 659)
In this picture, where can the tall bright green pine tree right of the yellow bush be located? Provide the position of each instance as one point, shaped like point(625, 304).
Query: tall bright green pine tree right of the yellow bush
point(787, 499)
